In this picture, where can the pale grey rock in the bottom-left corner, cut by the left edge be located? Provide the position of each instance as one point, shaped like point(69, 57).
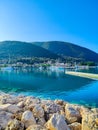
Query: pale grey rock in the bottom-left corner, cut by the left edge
point(5, 117)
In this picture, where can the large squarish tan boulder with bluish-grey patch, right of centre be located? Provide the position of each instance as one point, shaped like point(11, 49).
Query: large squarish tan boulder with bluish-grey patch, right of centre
point(72, 113)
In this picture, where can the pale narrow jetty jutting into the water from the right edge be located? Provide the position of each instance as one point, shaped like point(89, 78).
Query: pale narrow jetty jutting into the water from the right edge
point(82, 74)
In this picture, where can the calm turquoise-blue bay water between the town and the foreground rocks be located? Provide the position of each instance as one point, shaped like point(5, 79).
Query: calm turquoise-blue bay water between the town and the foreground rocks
point(51, 85)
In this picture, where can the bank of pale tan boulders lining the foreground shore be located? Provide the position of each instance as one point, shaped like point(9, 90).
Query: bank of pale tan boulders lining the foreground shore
point(30, 113)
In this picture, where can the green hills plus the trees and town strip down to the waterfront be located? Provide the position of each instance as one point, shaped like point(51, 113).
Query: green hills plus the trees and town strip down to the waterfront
point(42, 52)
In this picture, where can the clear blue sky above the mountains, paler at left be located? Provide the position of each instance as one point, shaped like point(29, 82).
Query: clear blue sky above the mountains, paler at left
point(74, 21)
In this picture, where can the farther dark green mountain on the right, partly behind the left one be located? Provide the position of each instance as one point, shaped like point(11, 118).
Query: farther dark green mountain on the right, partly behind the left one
point(66, 49)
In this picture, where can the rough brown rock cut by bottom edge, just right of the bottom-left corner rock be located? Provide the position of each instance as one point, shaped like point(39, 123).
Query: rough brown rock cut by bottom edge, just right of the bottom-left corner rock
point(15, 125)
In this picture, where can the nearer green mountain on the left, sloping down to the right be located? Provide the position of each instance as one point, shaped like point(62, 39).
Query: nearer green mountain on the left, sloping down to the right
point(23, 49)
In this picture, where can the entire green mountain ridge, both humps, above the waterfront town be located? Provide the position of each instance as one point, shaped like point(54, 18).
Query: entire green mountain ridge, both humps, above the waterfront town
point(48, 49)
